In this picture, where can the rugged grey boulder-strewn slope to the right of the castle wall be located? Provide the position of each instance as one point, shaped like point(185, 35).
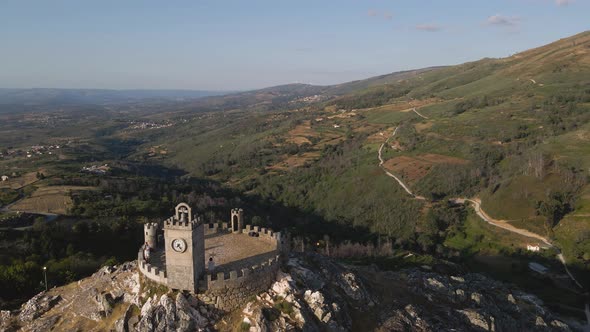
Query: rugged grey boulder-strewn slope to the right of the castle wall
point(328, 296)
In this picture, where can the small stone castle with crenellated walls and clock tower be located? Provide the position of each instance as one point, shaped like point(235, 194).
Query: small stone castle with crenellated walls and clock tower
point(246, 257)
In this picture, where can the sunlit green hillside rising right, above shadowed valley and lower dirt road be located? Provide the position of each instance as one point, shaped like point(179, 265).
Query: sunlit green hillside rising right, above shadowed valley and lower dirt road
point(512, 131)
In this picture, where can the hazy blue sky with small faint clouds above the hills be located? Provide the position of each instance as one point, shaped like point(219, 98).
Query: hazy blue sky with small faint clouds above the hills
point(236, 45)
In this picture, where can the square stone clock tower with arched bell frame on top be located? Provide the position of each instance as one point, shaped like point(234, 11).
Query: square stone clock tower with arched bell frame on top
point(184, 238)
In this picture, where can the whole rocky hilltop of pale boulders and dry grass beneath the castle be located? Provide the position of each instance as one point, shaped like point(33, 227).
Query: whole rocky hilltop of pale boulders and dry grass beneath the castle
point(311, 293)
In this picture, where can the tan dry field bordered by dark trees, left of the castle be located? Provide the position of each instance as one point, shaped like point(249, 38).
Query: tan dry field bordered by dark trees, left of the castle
point(53, 199)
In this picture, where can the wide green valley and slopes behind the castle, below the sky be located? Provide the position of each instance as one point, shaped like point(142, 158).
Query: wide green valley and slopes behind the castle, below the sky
point(464, 164)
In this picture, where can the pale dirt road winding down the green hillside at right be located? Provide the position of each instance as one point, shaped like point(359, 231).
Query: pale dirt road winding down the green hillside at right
point(476, 203)
